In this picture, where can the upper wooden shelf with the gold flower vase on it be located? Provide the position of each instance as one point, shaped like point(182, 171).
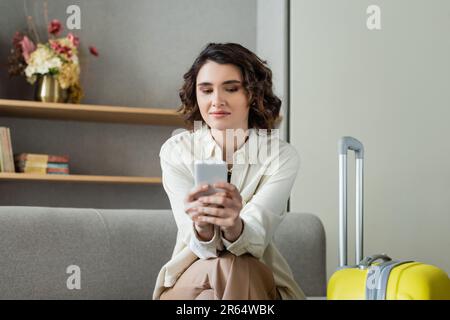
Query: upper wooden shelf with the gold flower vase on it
point(93, 113)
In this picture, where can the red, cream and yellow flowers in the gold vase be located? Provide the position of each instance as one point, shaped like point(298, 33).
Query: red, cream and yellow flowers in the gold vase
point(57, 57)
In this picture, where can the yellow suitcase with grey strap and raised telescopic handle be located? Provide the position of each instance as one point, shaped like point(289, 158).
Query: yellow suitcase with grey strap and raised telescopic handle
point(377, 277)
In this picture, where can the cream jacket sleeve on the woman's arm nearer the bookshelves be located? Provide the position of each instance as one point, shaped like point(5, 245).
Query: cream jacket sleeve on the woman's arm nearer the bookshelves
point(177, 182)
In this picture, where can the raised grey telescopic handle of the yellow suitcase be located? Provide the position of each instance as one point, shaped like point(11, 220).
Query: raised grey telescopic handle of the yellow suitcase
point(345, 144)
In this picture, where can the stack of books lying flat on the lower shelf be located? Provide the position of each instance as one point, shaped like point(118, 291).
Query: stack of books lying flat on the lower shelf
point(42, 163)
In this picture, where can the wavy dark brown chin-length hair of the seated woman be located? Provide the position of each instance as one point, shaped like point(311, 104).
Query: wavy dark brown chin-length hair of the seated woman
point(257, 81)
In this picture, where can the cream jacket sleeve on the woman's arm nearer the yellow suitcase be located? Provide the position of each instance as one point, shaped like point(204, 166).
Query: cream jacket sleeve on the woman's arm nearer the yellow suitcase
point(267, 208)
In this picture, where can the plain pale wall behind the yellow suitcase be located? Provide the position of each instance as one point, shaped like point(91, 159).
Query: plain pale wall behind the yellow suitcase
point(388, 88)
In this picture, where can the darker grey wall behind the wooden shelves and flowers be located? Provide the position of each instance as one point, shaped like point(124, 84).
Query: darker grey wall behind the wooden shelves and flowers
point(145, 48)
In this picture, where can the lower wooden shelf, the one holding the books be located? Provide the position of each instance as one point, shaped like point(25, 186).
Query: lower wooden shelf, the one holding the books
point(79, 178)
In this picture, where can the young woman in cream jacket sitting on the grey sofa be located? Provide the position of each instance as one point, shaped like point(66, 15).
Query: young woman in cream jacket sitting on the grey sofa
point(224, 247)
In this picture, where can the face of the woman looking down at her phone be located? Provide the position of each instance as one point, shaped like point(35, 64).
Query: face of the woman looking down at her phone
point(221, 97)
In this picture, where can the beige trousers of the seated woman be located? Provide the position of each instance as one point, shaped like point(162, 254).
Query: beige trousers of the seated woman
point(227, 277)
